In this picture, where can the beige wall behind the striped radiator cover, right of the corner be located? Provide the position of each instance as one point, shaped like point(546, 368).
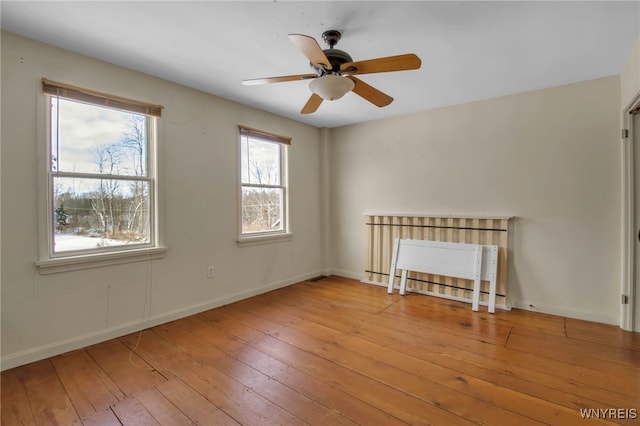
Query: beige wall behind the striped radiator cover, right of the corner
point(550, 158)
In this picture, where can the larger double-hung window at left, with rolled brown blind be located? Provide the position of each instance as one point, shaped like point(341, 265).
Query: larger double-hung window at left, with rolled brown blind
point(101, 174)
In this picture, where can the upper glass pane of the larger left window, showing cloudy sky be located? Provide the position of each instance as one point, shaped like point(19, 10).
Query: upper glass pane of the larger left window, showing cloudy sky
point(91, 139)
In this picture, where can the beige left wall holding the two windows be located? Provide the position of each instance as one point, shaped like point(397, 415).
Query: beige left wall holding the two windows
point(42, 315)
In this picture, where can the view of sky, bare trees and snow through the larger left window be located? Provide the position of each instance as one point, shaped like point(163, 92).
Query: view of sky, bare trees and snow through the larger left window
point(107, 202)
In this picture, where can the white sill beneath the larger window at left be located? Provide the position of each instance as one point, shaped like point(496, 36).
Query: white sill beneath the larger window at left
point(74, 263)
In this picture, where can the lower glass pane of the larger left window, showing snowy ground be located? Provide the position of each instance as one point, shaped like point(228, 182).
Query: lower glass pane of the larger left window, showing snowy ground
point(98, 213)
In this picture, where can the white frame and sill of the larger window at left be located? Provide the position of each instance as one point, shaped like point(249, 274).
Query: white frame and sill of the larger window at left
point(50, 262)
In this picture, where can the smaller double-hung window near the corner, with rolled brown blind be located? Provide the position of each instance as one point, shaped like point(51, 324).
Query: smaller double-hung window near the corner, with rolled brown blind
point(263, 180)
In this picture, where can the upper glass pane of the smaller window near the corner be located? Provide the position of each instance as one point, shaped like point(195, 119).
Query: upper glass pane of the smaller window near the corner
point(260, 162)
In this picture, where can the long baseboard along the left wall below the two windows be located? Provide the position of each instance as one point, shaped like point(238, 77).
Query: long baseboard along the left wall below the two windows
point(77, 342)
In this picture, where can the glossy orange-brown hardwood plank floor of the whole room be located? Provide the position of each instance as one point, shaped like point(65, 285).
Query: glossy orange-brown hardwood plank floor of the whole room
point(338, 352)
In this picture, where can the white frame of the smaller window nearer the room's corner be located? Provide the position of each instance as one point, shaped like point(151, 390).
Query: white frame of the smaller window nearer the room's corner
point(285, 233)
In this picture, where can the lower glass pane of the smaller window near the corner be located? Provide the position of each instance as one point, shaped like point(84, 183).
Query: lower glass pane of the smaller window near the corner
point(262, 209)
